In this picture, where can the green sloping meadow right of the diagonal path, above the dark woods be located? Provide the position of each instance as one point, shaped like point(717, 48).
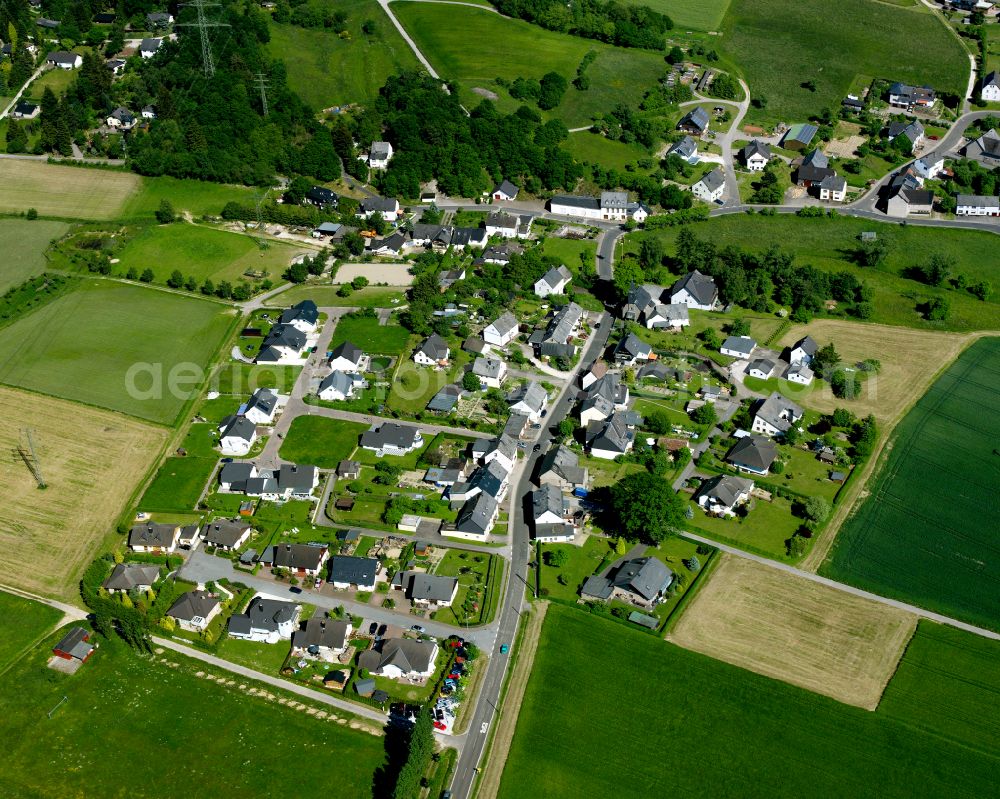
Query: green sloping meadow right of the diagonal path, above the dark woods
point(472, 47)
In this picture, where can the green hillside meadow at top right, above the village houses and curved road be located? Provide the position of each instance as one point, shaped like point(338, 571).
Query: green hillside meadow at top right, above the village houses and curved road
point(781, 43)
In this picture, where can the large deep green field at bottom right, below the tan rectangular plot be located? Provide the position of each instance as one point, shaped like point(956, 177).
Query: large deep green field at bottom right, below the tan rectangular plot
point(709, 729)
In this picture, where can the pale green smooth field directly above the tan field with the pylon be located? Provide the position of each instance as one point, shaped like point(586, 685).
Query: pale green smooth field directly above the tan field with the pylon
point(132, 349)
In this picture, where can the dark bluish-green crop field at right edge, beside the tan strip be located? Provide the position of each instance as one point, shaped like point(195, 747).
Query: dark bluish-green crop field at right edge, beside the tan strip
point(926, 530)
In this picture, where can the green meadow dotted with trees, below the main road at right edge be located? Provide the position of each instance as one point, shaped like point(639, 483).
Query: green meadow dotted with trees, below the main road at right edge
point(827, 243)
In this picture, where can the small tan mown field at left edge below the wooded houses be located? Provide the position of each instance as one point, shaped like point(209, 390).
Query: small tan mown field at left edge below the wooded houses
point(64, 191)
